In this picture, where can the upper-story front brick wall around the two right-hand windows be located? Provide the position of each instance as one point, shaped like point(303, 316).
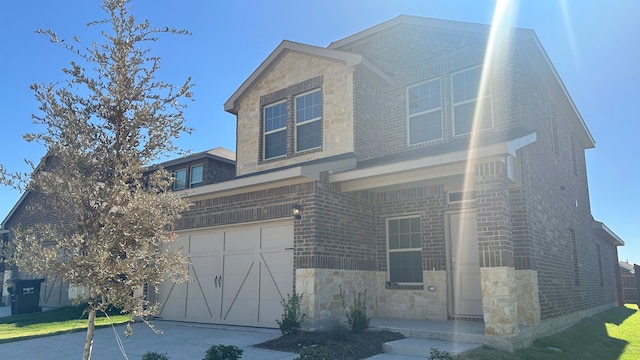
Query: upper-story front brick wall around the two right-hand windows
point(411, 55)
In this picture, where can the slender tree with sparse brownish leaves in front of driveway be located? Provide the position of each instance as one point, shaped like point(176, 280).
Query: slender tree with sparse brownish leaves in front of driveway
point(103, 126)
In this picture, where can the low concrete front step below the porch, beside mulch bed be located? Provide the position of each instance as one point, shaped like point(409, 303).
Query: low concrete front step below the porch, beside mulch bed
point(422, 347)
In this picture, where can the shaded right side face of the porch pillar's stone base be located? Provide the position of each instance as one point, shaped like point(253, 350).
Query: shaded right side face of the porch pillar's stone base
point(527, 297)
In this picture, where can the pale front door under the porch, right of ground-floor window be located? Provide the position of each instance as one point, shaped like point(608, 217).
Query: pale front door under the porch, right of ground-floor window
point(466, 299)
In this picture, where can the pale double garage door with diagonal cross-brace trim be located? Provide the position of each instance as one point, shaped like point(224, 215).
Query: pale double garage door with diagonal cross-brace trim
point(237, 275)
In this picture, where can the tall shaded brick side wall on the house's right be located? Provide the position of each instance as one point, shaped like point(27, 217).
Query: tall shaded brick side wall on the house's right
point(552, 202)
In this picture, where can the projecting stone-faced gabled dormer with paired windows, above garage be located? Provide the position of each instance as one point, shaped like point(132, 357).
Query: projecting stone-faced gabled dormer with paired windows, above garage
point(297, 107)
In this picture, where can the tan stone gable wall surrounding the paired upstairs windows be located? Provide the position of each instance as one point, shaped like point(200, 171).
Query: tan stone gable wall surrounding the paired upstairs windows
point(337, 119)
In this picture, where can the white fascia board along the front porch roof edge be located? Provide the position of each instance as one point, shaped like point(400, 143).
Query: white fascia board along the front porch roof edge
point(448, 160)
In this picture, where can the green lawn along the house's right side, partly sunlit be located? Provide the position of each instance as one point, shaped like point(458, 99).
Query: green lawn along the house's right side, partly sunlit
point(609, 335)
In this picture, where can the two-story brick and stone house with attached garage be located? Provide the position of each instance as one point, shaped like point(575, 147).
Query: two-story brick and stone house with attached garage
point(398, 191)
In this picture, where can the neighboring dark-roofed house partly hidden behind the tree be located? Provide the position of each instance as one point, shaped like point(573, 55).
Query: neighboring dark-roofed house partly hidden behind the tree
point(191, 171)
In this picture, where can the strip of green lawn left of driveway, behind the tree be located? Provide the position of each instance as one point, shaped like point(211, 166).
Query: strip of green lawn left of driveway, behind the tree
point(52, 322)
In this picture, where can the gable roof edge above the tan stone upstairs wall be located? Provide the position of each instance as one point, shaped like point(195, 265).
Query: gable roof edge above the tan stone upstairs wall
point(350, 60)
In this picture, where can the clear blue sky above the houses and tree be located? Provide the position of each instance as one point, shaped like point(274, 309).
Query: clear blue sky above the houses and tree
point(593, 45)
